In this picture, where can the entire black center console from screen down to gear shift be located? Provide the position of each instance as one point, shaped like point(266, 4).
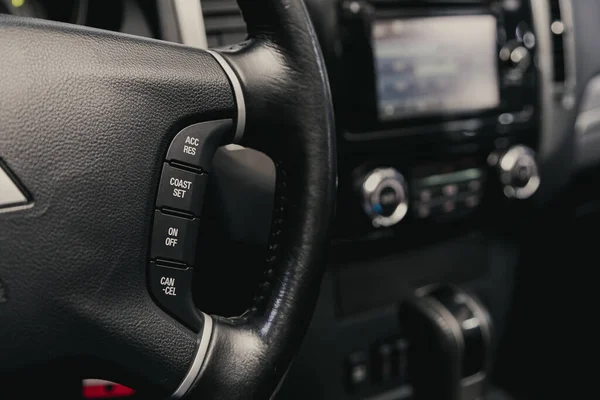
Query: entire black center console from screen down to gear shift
point(438, 115)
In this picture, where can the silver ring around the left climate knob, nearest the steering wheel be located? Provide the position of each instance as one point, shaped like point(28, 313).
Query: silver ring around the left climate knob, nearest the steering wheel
point(372, 186)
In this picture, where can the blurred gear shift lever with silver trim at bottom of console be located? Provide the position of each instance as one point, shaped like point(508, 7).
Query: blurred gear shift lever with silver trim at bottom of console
point(450, 332)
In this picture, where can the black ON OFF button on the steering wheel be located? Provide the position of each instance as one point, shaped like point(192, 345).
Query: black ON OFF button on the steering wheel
point(174, 238)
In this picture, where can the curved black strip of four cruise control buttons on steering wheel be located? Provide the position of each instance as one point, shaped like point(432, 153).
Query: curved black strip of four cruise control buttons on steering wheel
point(176, 218)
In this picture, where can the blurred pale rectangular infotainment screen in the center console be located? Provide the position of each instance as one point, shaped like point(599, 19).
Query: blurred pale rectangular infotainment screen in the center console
point(435, 66)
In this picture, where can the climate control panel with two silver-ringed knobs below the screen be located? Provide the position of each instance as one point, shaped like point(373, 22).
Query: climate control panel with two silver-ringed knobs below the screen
point(448, 190)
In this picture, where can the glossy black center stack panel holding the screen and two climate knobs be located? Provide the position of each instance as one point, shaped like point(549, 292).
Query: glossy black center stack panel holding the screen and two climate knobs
point(438, 103)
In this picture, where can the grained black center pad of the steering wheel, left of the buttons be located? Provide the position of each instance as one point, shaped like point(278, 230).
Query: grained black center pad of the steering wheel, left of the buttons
point(85, 120)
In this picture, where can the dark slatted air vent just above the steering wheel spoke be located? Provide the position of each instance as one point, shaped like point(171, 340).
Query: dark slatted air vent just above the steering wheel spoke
point(223, 22)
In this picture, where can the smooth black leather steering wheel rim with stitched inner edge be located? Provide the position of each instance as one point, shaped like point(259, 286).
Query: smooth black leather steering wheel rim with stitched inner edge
point(290, 119)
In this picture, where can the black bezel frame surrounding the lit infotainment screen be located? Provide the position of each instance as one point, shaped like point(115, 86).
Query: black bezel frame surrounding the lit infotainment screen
point(356, 84)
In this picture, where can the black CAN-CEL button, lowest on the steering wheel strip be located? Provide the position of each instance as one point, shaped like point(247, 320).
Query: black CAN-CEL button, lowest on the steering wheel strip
point(172, 290)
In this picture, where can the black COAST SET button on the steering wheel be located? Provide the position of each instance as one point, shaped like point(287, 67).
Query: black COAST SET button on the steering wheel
point(181, 190)
